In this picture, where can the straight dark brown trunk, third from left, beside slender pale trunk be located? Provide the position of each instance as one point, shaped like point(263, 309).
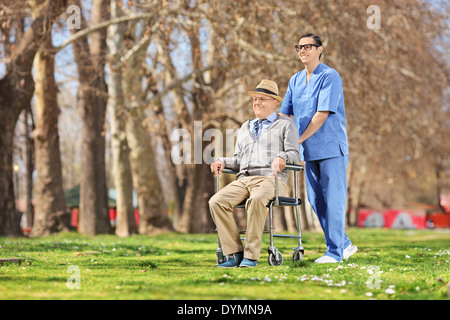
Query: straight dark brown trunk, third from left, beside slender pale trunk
point(92, 97)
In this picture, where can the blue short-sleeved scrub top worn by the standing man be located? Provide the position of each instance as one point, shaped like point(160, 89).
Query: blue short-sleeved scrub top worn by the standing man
point(323, 93)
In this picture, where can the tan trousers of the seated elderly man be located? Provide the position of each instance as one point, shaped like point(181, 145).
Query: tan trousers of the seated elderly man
point(258, 190)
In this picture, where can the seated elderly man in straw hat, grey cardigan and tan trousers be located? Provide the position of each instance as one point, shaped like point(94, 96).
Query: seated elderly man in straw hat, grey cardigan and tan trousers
point(263, 148)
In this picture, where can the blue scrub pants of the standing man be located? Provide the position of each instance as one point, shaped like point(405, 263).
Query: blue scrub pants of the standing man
point(326, 186)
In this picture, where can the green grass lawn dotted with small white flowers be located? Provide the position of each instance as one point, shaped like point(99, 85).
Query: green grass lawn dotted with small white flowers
point(405, 264)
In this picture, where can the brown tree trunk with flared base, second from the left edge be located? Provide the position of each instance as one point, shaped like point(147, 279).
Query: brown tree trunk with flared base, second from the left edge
point(50, 209)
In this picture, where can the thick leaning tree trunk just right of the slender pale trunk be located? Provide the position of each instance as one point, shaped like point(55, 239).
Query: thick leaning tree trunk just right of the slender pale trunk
point(151, 200)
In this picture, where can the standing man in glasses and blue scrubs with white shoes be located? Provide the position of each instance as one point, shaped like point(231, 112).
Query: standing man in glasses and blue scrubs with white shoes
point(316, 100)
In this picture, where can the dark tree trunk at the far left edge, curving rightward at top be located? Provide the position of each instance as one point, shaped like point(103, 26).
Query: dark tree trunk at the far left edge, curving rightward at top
point(16, 92)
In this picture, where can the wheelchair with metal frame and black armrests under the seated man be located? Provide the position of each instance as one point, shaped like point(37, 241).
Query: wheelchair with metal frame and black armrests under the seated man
point(275, 256)
